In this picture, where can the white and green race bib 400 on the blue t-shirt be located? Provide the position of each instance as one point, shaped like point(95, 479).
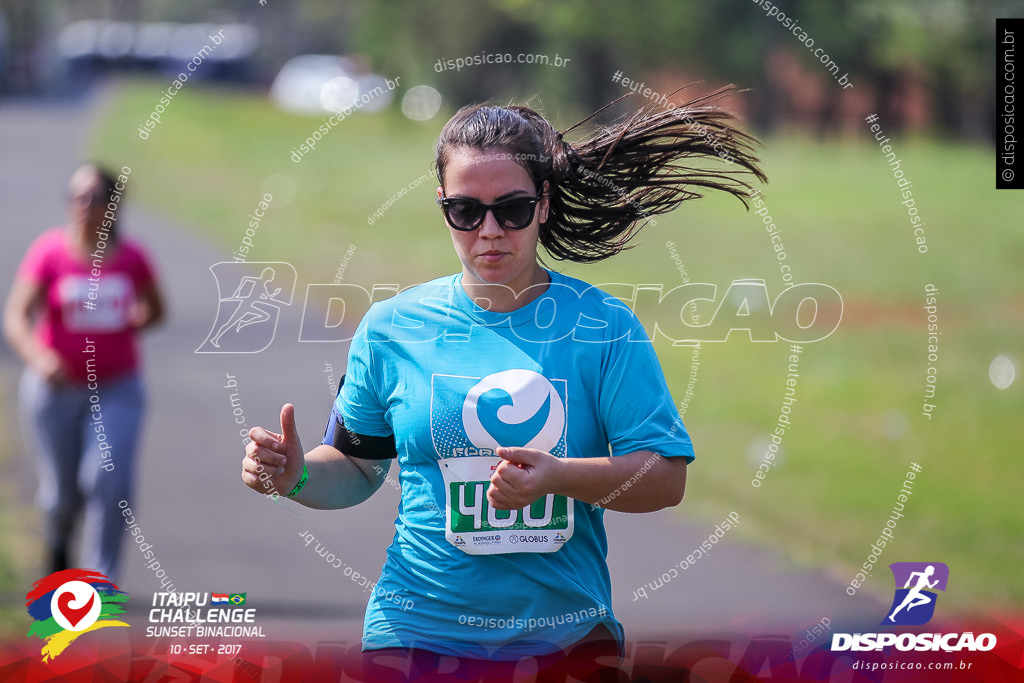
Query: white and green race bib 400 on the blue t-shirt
point(476, 528)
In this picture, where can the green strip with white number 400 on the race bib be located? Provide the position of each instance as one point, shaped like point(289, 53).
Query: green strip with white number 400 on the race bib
point(473, 514)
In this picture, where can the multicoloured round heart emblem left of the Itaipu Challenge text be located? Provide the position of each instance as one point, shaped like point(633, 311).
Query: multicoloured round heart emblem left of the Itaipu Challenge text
point(70, 604)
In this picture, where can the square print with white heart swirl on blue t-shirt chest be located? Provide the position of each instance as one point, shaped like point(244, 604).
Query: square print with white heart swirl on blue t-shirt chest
point(514, 408)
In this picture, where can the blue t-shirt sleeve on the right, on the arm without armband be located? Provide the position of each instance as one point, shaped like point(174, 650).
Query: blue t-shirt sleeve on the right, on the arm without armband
point(636, 406)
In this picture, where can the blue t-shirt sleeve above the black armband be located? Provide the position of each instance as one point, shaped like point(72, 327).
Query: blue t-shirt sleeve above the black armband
point(360, 403)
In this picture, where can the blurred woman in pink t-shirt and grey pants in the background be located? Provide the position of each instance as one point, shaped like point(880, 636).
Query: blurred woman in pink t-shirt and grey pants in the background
point(79, 297)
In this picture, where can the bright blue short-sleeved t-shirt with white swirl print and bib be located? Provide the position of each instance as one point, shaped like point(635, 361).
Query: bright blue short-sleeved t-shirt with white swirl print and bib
point(574, 374)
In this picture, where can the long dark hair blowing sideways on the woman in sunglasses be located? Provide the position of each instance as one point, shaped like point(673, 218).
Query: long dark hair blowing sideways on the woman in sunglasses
point(605, 188)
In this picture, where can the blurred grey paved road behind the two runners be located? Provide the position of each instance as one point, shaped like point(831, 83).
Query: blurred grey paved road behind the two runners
point(212, 535)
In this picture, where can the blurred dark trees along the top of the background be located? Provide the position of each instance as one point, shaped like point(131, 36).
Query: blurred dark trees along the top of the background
point(921, 65)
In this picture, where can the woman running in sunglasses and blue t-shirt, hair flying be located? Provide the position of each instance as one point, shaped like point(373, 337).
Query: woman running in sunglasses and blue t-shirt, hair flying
point(520, 403)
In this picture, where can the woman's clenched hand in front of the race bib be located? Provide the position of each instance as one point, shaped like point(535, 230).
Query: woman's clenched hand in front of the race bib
point(524, 477)
